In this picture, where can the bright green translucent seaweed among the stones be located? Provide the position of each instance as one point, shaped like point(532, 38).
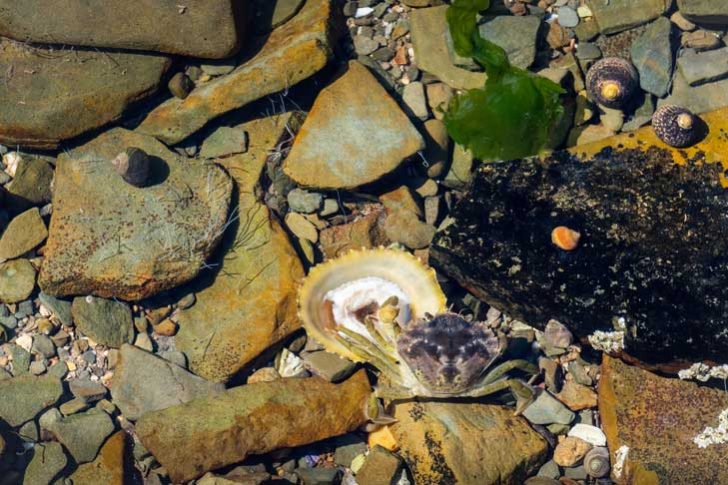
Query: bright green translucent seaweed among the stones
point(514, 114)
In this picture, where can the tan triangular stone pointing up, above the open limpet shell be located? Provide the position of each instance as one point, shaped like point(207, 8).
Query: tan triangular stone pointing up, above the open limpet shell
point(354, 116)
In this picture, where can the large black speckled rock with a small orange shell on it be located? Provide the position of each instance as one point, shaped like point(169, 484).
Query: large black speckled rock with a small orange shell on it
point(653, 248)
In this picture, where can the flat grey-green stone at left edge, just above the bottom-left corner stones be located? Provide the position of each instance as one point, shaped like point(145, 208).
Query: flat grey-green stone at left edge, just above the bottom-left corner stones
point(24, 397)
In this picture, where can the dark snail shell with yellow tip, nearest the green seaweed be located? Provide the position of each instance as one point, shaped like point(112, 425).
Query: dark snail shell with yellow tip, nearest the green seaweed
point(612, 82)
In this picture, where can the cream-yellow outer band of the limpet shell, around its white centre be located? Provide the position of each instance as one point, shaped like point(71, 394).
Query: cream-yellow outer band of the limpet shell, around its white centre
point(416, 282)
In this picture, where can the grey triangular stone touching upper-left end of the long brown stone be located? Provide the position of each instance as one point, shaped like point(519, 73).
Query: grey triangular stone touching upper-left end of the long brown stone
point(144, 382)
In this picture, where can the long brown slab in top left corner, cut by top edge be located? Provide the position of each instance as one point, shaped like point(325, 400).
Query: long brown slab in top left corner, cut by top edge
point(199, 28)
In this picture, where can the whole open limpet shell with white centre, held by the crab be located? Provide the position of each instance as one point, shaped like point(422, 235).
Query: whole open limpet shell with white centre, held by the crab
point(339, 295)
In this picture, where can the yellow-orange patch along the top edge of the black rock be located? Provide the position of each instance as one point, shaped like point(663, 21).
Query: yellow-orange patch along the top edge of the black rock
point(713, 148)
